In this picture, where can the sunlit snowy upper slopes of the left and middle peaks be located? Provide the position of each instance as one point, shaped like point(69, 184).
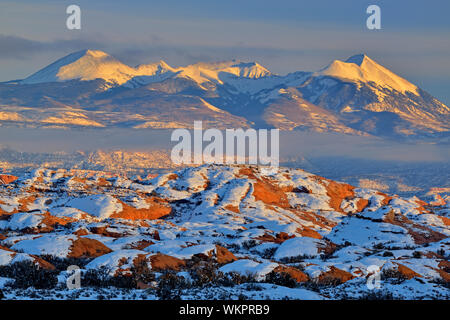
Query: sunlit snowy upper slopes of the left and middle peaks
point(95, 64)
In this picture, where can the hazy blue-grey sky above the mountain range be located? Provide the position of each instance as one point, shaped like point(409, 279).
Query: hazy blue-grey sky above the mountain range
point(282, 35)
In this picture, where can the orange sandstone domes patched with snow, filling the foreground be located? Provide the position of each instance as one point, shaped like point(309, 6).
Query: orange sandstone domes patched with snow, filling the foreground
point(319, 232)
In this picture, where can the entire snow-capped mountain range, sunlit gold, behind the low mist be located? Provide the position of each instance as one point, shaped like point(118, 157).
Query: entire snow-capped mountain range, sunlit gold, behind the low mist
point(91, 88)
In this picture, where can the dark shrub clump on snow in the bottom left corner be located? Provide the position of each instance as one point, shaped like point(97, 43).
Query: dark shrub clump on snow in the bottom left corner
point(27, 274)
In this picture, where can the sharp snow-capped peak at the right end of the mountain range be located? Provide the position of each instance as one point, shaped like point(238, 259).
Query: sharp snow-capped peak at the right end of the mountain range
point(360, 89)
